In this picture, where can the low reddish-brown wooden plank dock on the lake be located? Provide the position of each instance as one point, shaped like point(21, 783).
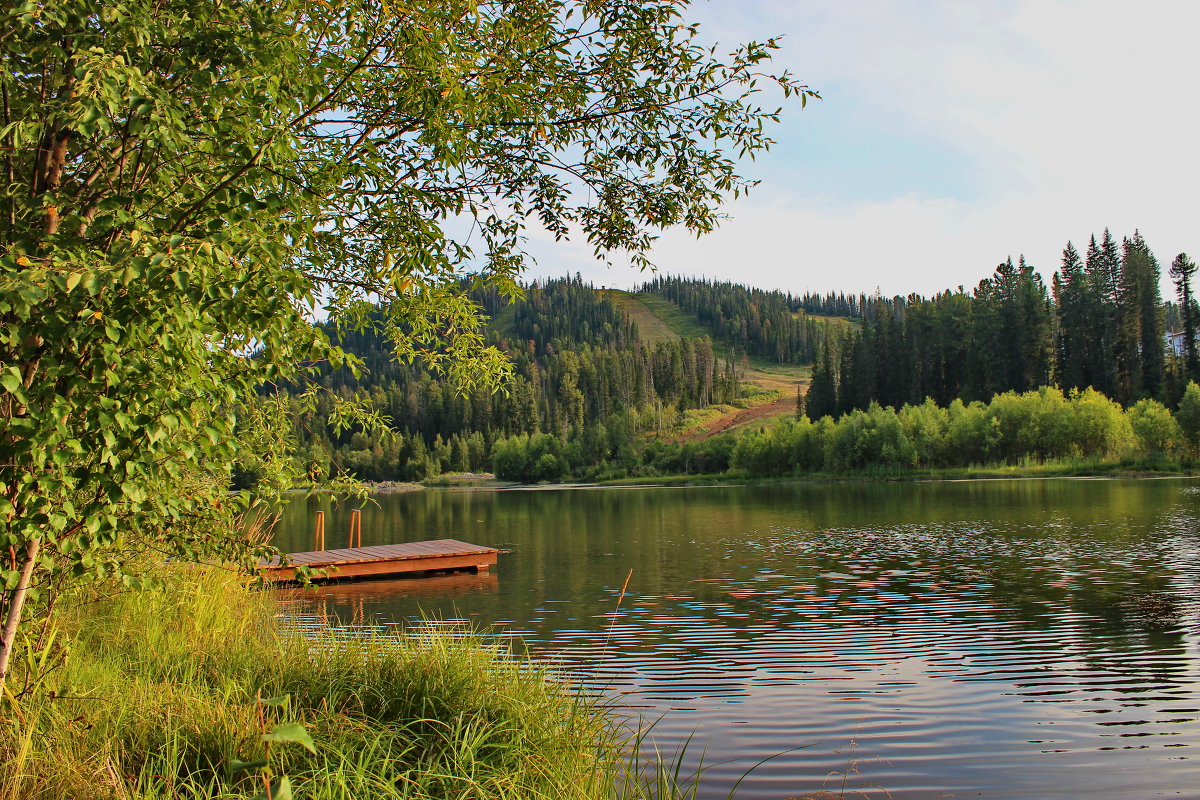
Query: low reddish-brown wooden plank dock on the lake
point(435, 556)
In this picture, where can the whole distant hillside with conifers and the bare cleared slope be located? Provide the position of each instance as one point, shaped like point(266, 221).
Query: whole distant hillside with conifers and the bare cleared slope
point(605, 384)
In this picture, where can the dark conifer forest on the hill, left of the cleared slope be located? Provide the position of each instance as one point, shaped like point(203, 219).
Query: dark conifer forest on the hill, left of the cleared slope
point(586, 388)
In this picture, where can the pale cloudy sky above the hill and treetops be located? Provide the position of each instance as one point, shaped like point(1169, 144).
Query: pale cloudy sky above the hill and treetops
point(951, 135)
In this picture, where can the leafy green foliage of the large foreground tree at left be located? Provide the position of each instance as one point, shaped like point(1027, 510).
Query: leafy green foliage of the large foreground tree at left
point(184, 184)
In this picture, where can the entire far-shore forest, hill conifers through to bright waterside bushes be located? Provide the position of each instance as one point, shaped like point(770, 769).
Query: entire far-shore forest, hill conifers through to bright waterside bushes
point(908, 382)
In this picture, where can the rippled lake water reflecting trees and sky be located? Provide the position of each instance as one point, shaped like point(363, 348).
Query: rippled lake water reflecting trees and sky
point(1004, 640)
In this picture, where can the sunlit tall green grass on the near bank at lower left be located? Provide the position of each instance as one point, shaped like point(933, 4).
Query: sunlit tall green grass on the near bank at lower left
point(164, 693)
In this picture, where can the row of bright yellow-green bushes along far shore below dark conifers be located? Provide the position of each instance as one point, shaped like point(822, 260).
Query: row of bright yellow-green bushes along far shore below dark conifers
point(1012, 429)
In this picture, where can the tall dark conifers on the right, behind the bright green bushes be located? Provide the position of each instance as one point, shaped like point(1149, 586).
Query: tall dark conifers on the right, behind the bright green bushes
point(1102, 324)
